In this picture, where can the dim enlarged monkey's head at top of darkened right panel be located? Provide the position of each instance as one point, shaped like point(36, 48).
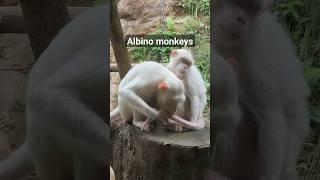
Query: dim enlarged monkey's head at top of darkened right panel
point(233, 19)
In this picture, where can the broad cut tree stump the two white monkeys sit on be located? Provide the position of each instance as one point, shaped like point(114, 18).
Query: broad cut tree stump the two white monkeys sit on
point(160, 154)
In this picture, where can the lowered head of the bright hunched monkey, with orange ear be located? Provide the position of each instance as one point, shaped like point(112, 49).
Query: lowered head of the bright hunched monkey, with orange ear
point(171, 93)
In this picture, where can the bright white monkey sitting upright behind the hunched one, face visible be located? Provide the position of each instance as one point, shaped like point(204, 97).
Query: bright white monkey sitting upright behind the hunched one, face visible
point(190, 113)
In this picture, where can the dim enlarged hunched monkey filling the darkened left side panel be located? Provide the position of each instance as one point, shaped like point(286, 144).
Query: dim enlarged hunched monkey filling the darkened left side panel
point(67, 134)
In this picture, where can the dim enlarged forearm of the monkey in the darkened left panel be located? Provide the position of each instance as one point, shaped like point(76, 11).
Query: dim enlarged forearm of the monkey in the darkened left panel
point(70, 114)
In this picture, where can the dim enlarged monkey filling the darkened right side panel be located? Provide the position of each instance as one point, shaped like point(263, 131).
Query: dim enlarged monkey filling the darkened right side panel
point(272, 91)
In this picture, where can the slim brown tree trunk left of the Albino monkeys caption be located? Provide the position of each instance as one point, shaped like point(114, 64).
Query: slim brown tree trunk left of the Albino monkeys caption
point(117, 40)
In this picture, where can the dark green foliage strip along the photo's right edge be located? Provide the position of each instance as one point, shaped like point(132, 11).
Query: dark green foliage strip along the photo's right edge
point(302, 19)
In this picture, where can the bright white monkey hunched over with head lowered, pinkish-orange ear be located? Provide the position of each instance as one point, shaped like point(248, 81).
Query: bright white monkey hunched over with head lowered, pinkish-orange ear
point(146, 87)
